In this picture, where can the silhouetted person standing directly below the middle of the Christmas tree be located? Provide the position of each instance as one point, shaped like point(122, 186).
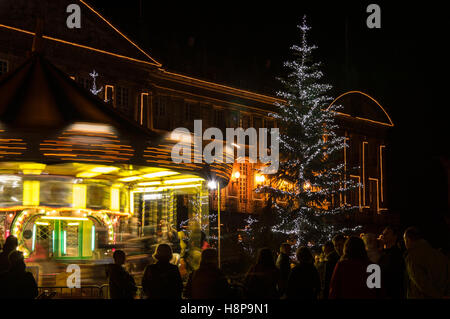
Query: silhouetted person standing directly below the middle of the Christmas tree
point(304, 280)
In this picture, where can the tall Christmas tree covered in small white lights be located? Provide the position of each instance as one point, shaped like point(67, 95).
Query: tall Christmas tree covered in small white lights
point(304, 195)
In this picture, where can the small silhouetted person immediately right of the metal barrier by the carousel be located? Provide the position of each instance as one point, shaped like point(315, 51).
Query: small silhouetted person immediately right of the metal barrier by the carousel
point(121, 283)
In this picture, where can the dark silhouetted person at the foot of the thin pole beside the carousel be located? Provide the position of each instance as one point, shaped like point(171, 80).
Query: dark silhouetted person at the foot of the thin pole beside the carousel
point(208, 281)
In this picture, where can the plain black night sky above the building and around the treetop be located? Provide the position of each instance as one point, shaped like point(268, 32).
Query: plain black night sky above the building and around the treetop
point(402, 65)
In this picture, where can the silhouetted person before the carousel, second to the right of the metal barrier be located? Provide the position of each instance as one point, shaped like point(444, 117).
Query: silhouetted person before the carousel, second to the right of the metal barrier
point(162, 280)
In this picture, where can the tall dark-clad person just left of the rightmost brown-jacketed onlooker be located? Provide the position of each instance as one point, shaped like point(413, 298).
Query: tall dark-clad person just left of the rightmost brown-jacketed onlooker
point(392, 264)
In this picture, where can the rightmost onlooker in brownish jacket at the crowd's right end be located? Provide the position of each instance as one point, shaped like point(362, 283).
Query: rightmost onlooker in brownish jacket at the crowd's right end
point(428, 269)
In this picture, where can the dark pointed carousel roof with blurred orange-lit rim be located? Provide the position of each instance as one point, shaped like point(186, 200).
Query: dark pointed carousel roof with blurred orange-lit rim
point(46, 117)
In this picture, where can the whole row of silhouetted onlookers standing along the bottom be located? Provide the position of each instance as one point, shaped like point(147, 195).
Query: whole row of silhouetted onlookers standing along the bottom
point(409, 268)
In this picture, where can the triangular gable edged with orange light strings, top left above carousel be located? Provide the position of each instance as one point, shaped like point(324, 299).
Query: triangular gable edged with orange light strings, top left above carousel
point(96, 32)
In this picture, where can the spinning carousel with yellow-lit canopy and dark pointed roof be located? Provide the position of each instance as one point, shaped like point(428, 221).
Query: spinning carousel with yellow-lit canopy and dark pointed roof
point(76, 174)
